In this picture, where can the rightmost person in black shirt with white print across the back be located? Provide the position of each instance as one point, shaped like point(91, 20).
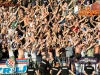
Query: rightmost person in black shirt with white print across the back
point(89, 70)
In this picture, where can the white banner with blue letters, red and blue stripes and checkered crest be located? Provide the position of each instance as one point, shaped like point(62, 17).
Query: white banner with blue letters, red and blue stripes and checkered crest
point(6, 66)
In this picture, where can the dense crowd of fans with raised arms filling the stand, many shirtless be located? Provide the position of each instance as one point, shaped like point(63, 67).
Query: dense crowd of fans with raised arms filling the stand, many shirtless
point(51, 33)
